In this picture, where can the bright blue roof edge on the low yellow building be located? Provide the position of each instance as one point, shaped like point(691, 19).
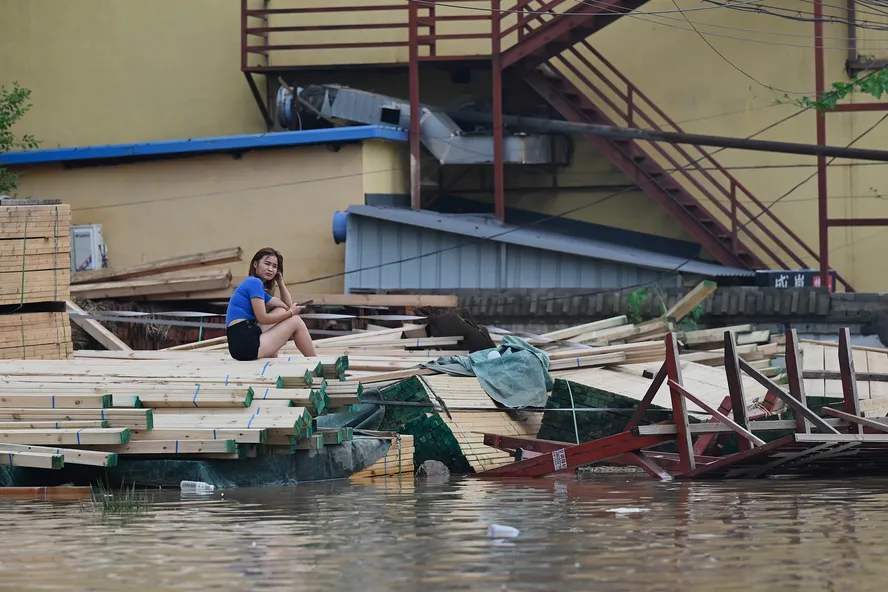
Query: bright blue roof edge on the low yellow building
point(214, 144)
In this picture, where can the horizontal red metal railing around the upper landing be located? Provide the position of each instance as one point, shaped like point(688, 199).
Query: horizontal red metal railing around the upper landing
point(392, 31)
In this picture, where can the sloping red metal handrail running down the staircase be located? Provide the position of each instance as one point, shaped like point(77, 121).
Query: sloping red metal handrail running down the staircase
point(635, 112)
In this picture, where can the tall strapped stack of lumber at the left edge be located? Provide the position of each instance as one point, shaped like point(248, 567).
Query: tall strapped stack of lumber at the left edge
point(35, 263)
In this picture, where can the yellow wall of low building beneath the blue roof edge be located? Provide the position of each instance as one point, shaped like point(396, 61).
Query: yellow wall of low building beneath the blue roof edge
point(153, 210)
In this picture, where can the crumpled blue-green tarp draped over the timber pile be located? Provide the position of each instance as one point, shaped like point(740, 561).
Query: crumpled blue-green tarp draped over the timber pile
point(515, 374)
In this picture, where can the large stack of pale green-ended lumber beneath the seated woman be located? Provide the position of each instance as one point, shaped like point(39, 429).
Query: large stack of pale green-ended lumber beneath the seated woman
point(105, 408)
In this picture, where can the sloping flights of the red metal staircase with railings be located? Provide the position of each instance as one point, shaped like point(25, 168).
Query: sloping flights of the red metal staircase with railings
point(712, 205)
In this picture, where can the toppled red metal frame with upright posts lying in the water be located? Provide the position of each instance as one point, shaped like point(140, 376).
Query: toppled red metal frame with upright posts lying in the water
point(843, 444)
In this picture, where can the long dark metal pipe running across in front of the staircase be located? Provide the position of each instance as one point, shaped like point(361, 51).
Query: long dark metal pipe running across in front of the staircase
point(555, 126)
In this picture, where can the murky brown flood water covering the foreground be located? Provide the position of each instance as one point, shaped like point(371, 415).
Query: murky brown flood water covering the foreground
point(394, 535)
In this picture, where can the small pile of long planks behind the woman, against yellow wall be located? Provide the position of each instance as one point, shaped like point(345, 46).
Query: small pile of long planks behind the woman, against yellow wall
point(176, 277)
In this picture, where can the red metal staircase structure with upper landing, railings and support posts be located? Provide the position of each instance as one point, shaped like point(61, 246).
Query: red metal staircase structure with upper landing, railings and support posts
point(545, 45)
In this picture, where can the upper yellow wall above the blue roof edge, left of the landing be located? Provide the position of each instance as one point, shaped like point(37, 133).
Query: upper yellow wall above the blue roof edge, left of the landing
point(116, 71)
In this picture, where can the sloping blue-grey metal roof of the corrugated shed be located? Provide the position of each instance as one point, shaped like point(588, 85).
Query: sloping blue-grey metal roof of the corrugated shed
point(488, 227)
